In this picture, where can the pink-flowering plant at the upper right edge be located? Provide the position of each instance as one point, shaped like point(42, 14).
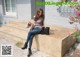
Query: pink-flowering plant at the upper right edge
point(77, 13)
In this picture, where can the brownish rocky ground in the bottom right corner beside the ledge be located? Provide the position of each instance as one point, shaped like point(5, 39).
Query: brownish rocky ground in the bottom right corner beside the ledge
point(74, 52)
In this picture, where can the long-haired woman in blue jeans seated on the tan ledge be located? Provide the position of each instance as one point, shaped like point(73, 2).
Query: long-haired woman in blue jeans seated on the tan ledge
point(36, 29)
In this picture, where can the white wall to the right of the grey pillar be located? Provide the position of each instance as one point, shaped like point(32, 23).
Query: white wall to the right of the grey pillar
point(52, 17)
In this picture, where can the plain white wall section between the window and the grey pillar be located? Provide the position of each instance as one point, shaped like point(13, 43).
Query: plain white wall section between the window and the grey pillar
point(23, 9)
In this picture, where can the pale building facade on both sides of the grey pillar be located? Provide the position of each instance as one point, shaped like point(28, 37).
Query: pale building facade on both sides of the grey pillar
point(25, 9)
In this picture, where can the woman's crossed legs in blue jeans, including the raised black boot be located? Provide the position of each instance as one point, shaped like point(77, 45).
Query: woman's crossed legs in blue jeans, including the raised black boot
point(30, 37)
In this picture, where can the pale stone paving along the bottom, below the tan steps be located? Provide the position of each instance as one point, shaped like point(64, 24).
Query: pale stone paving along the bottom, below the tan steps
point(18, 52)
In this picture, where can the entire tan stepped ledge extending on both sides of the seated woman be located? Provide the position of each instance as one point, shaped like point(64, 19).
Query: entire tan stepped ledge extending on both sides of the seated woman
point(55, 44)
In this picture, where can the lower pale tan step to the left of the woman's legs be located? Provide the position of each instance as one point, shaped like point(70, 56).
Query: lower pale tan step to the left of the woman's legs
point(14, 32)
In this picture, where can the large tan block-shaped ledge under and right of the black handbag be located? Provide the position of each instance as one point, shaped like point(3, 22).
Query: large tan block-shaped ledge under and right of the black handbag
point(57, 43)
